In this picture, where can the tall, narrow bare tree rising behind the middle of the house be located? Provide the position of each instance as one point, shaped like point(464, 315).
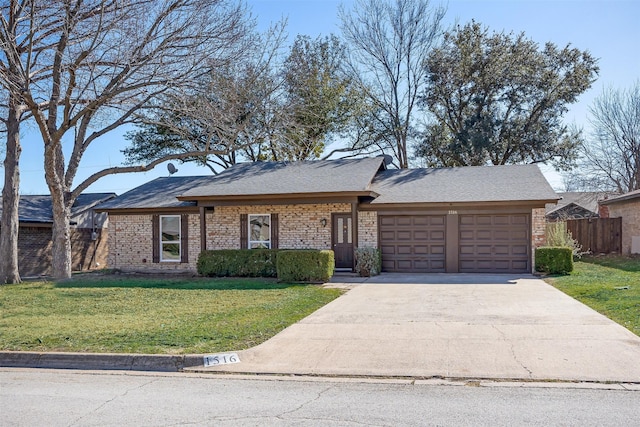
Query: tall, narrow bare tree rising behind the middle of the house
point(389, 42)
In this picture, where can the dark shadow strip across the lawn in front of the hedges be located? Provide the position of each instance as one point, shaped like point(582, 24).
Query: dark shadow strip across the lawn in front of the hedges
point(180, 283)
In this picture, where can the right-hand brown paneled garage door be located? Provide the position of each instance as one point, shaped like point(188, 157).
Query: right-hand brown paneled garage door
point(494, 243)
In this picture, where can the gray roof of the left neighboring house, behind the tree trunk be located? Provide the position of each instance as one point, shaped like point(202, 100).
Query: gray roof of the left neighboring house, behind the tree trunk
point(38, 208)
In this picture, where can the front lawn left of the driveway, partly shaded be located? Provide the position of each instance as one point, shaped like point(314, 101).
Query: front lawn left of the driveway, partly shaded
point(151, 315)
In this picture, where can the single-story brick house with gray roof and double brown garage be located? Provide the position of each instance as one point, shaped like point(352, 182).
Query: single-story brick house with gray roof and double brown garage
point(470, 219)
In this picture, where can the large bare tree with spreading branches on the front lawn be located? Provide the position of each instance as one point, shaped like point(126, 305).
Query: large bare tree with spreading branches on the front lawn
point(97, 64)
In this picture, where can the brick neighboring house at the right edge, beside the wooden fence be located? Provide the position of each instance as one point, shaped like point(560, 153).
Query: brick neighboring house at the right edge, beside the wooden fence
point(627, 207)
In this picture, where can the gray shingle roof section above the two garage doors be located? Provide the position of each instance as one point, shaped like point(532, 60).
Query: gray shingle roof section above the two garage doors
point(463, 184)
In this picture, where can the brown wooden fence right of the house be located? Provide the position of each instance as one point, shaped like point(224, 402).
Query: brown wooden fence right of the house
point(597, 235)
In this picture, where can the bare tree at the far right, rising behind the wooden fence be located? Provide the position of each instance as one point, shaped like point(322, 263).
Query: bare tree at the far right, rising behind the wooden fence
point(612, 153)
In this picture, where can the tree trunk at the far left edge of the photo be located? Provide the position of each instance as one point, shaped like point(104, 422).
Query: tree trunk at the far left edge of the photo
point(10, 198)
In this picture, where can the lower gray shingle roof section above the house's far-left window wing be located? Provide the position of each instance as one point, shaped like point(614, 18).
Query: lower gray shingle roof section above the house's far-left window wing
point(159, 193)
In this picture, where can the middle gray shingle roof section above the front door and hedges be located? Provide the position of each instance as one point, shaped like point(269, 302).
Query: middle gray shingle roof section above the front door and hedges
point(263, 178)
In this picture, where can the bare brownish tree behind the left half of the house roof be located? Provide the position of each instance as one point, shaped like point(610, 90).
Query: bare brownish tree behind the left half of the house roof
point(232, 113)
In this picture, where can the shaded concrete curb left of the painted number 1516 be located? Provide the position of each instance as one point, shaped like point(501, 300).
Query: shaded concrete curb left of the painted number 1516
point(100, 361)
